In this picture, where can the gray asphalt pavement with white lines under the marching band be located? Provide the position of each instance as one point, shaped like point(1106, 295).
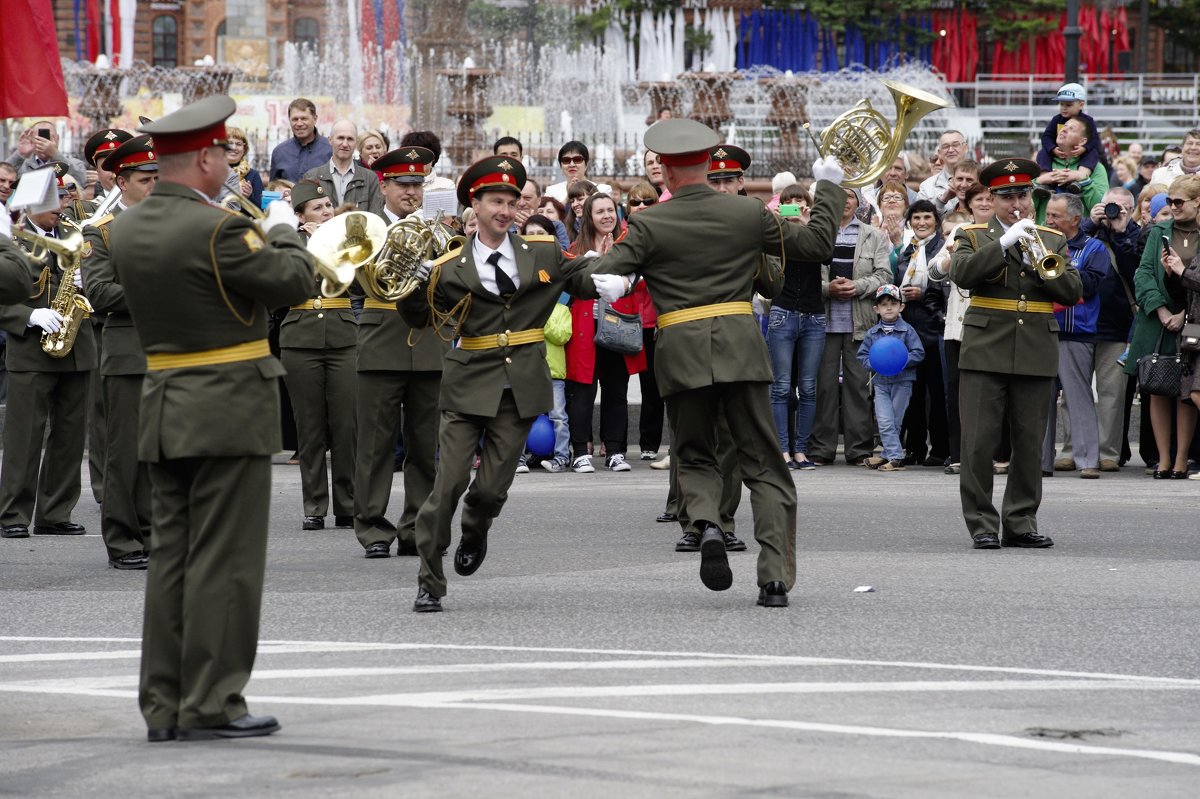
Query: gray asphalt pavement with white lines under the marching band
point(586, 659)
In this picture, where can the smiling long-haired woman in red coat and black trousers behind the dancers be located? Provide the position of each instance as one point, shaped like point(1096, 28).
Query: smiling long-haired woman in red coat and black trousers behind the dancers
point(587, 365)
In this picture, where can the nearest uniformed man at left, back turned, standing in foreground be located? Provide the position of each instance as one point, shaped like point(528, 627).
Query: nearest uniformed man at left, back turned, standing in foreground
point(199, 283)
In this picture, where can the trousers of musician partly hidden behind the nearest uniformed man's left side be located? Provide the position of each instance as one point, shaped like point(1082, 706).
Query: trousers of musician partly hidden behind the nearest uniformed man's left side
point(125, 513)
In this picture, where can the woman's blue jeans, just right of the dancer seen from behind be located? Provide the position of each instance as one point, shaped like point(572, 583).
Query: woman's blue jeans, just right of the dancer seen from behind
point(795, 341)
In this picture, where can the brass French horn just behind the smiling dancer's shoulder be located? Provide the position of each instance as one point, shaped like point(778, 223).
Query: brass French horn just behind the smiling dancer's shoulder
point(392, 275)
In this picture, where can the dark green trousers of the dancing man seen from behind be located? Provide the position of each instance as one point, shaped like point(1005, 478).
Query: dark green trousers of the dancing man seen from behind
point(772, 490)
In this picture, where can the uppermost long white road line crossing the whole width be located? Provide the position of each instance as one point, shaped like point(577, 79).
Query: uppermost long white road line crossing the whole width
point(285, 647)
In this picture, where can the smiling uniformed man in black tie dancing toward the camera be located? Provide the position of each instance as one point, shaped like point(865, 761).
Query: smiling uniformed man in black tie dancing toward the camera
point(496, 293)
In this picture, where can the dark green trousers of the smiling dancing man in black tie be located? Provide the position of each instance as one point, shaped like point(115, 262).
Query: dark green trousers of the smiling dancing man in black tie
point(505, 440)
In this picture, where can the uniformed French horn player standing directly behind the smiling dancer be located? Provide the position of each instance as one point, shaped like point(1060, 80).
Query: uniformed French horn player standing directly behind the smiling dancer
point(399, 380)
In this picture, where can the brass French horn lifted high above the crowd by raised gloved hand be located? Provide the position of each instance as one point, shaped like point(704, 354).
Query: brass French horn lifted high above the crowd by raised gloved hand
point(863, 142)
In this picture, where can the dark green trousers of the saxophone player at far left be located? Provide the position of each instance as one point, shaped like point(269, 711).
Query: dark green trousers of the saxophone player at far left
point(37, 401)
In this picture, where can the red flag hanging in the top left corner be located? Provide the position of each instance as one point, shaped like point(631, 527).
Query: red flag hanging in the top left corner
point(31, 74)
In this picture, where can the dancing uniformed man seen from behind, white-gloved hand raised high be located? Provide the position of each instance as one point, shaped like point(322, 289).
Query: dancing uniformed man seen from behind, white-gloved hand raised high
point(700, 255)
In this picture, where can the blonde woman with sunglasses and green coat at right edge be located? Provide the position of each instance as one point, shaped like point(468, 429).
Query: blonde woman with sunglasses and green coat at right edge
point(1163, 301)
